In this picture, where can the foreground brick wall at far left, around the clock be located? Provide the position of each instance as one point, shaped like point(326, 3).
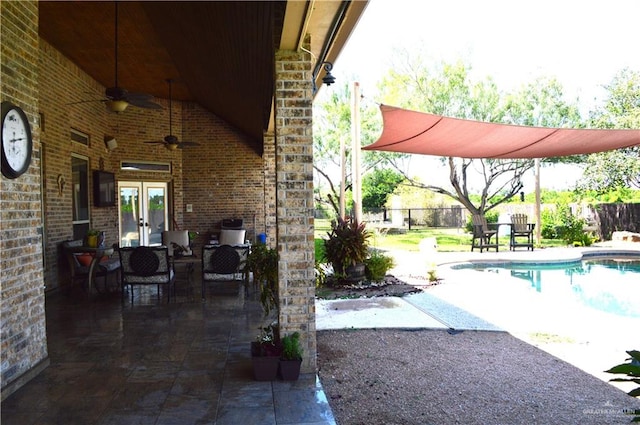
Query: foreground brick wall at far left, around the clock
point(23, 342)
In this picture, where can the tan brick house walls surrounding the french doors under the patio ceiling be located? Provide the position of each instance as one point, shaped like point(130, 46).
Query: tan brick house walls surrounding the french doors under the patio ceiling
point(221, 178)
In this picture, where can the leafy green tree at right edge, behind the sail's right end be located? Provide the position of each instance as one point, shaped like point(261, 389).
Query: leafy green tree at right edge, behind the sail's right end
point(606, 171)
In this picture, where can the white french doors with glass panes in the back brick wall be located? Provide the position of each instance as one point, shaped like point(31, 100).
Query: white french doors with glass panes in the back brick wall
point(143, 212)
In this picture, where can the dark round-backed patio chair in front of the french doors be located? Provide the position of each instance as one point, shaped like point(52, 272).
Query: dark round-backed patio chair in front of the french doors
point(146, 265)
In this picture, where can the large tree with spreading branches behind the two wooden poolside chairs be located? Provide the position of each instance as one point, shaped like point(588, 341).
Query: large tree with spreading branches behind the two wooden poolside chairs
point(447, 89)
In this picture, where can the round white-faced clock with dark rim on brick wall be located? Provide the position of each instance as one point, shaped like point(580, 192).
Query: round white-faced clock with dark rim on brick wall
point(16, 141)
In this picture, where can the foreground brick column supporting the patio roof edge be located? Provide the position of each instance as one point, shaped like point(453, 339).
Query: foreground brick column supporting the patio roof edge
point(294, 199)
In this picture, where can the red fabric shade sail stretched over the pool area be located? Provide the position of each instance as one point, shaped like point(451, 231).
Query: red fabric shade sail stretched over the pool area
point(418, 132)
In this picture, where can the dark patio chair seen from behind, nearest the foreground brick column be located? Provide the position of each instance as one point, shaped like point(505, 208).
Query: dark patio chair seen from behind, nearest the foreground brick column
point(224, 263)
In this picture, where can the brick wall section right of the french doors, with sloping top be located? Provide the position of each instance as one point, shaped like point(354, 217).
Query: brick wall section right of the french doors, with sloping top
point(225, 176)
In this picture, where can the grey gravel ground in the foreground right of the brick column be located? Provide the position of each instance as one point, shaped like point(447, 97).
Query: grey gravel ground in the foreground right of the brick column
point(423, 377)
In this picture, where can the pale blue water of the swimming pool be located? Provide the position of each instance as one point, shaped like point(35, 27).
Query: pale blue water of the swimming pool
point(610, 285)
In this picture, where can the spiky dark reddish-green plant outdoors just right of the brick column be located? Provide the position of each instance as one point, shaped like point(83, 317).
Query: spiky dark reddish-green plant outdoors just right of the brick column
point(347, 248)
